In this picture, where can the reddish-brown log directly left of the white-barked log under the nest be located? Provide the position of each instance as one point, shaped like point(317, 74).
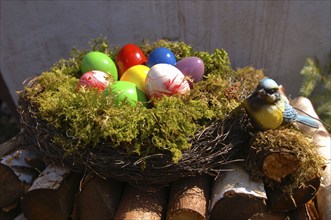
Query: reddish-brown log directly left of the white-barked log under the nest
point(188, 198)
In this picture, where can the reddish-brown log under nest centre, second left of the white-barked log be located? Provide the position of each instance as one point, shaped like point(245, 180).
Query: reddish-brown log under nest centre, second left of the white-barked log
point(138, 204)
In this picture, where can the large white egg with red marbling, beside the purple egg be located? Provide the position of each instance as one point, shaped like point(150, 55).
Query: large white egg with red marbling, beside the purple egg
point(165, 79)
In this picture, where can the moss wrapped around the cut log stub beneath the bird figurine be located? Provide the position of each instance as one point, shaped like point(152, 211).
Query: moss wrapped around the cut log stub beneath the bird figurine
point(290, 140)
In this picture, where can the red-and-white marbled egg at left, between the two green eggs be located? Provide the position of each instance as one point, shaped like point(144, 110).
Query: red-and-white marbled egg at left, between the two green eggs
point(94, 79)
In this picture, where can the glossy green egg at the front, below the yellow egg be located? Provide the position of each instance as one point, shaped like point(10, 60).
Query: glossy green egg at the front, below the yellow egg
point(127, 90)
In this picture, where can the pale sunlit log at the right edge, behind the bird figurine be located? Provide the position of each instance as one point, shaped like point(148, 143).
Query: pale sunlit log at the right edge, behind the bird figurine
point(323, 140)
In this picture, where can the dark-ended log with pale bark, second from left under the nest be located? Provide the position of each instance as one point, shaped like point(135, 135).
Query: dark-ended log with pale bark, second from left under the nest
point(52, 195)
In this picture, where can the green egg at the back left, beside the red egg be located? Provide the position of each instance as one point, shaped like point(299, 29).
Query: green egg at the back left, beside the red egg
point(96, 60)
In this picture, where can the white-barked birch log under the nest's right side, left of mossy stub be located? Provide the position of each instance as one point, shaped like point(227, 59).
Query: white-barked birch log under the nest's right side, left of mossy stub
point(235, 196)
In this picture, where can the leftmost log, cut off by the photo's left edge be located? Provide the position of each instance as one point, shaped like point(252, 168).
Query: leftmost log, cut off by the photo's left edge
point(16, 175)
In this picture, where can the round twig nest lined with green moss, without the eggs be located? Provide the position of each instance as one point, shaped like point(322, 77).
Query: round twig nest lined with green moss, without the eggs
point(196, 133)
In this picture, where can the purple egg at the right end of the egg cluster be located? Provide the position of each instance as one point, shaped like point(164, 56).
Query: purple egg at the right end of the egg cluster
point(192, 67)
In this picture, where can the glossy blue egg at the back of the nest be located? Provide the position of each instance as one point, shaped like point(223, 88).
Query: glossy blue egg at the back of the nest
point(161, 55)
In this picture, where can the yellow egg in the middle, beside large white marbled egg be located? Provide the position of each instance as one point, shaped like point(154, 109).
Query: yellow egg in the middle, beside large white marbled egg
point(136, 74)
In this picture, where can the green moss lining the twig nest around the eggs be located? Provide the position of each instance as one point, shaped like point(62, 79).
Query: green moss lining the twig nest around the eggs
point(82, 119)
